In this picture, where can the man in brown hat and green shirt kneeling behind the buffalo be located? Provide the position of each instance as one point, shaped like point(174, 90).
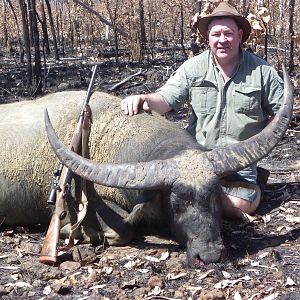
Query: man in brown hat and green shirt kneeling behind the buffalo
point(233, 94)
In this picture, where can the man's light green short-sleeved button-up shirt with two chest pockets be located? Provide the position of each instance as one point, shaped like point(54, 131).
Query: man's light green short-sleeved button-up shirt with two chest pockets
point(225, 112)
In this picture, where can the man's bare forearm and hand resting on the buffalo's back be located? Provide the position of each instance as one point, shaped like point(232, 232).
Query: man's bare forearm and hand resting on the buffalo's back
point(133, 104)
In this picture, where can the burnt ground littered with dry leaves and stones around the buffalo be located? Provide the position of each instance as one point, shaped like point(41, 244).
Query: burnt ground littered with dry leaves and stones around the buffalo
point(262, 258)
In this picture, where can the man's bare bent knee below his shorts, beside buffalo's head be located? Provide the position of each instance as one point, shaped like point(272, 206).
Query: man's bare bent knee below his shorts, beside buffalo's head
point(233, 206)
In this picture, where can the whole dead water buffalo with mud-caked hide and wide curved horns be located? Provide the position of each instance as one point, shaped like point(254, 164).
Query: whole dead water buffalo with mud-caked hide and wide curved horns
point(149, 170)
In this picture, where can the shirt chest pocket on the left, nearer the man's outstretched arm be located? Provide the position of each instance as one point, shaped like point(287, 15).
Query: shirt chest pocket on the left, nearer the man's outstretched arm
point(203, 100)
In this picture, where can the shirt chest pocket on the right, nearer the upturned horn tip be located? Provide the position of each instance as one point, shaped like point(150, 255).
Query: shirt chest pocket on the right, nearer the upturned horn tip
point(247, 100)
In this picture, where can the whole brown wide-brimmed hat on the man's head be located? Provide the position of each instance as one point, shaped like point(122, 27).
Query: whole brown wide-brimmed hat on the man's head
point(224, 10)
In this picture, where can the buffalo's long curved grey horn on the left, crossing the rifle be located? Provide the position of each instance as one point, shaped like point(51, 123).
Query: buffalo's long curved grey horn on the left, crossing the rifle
point(147, 175)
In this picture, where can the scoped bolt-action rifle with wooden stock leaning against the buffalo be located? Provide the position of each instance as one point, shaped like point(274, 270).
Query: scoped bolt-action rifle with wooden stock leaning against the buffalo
point(61, 186)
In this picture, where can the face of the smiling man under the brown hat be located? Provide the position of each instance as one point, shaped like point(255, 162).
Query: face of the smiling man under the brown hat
point(224, 39)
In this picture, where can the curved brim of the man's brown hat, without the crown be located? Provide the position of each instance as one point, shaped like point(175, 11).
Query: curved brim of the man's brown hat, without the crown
point(242, 23)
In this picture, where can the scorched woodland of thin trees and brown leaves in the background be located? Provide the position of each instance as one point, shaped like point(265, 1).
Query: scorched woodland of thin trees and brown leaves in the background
point(35, 34)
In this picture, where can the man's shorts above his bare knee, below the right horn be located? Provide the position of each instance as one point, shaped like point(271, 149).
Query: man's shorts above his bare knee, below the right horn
point(242, 184)
